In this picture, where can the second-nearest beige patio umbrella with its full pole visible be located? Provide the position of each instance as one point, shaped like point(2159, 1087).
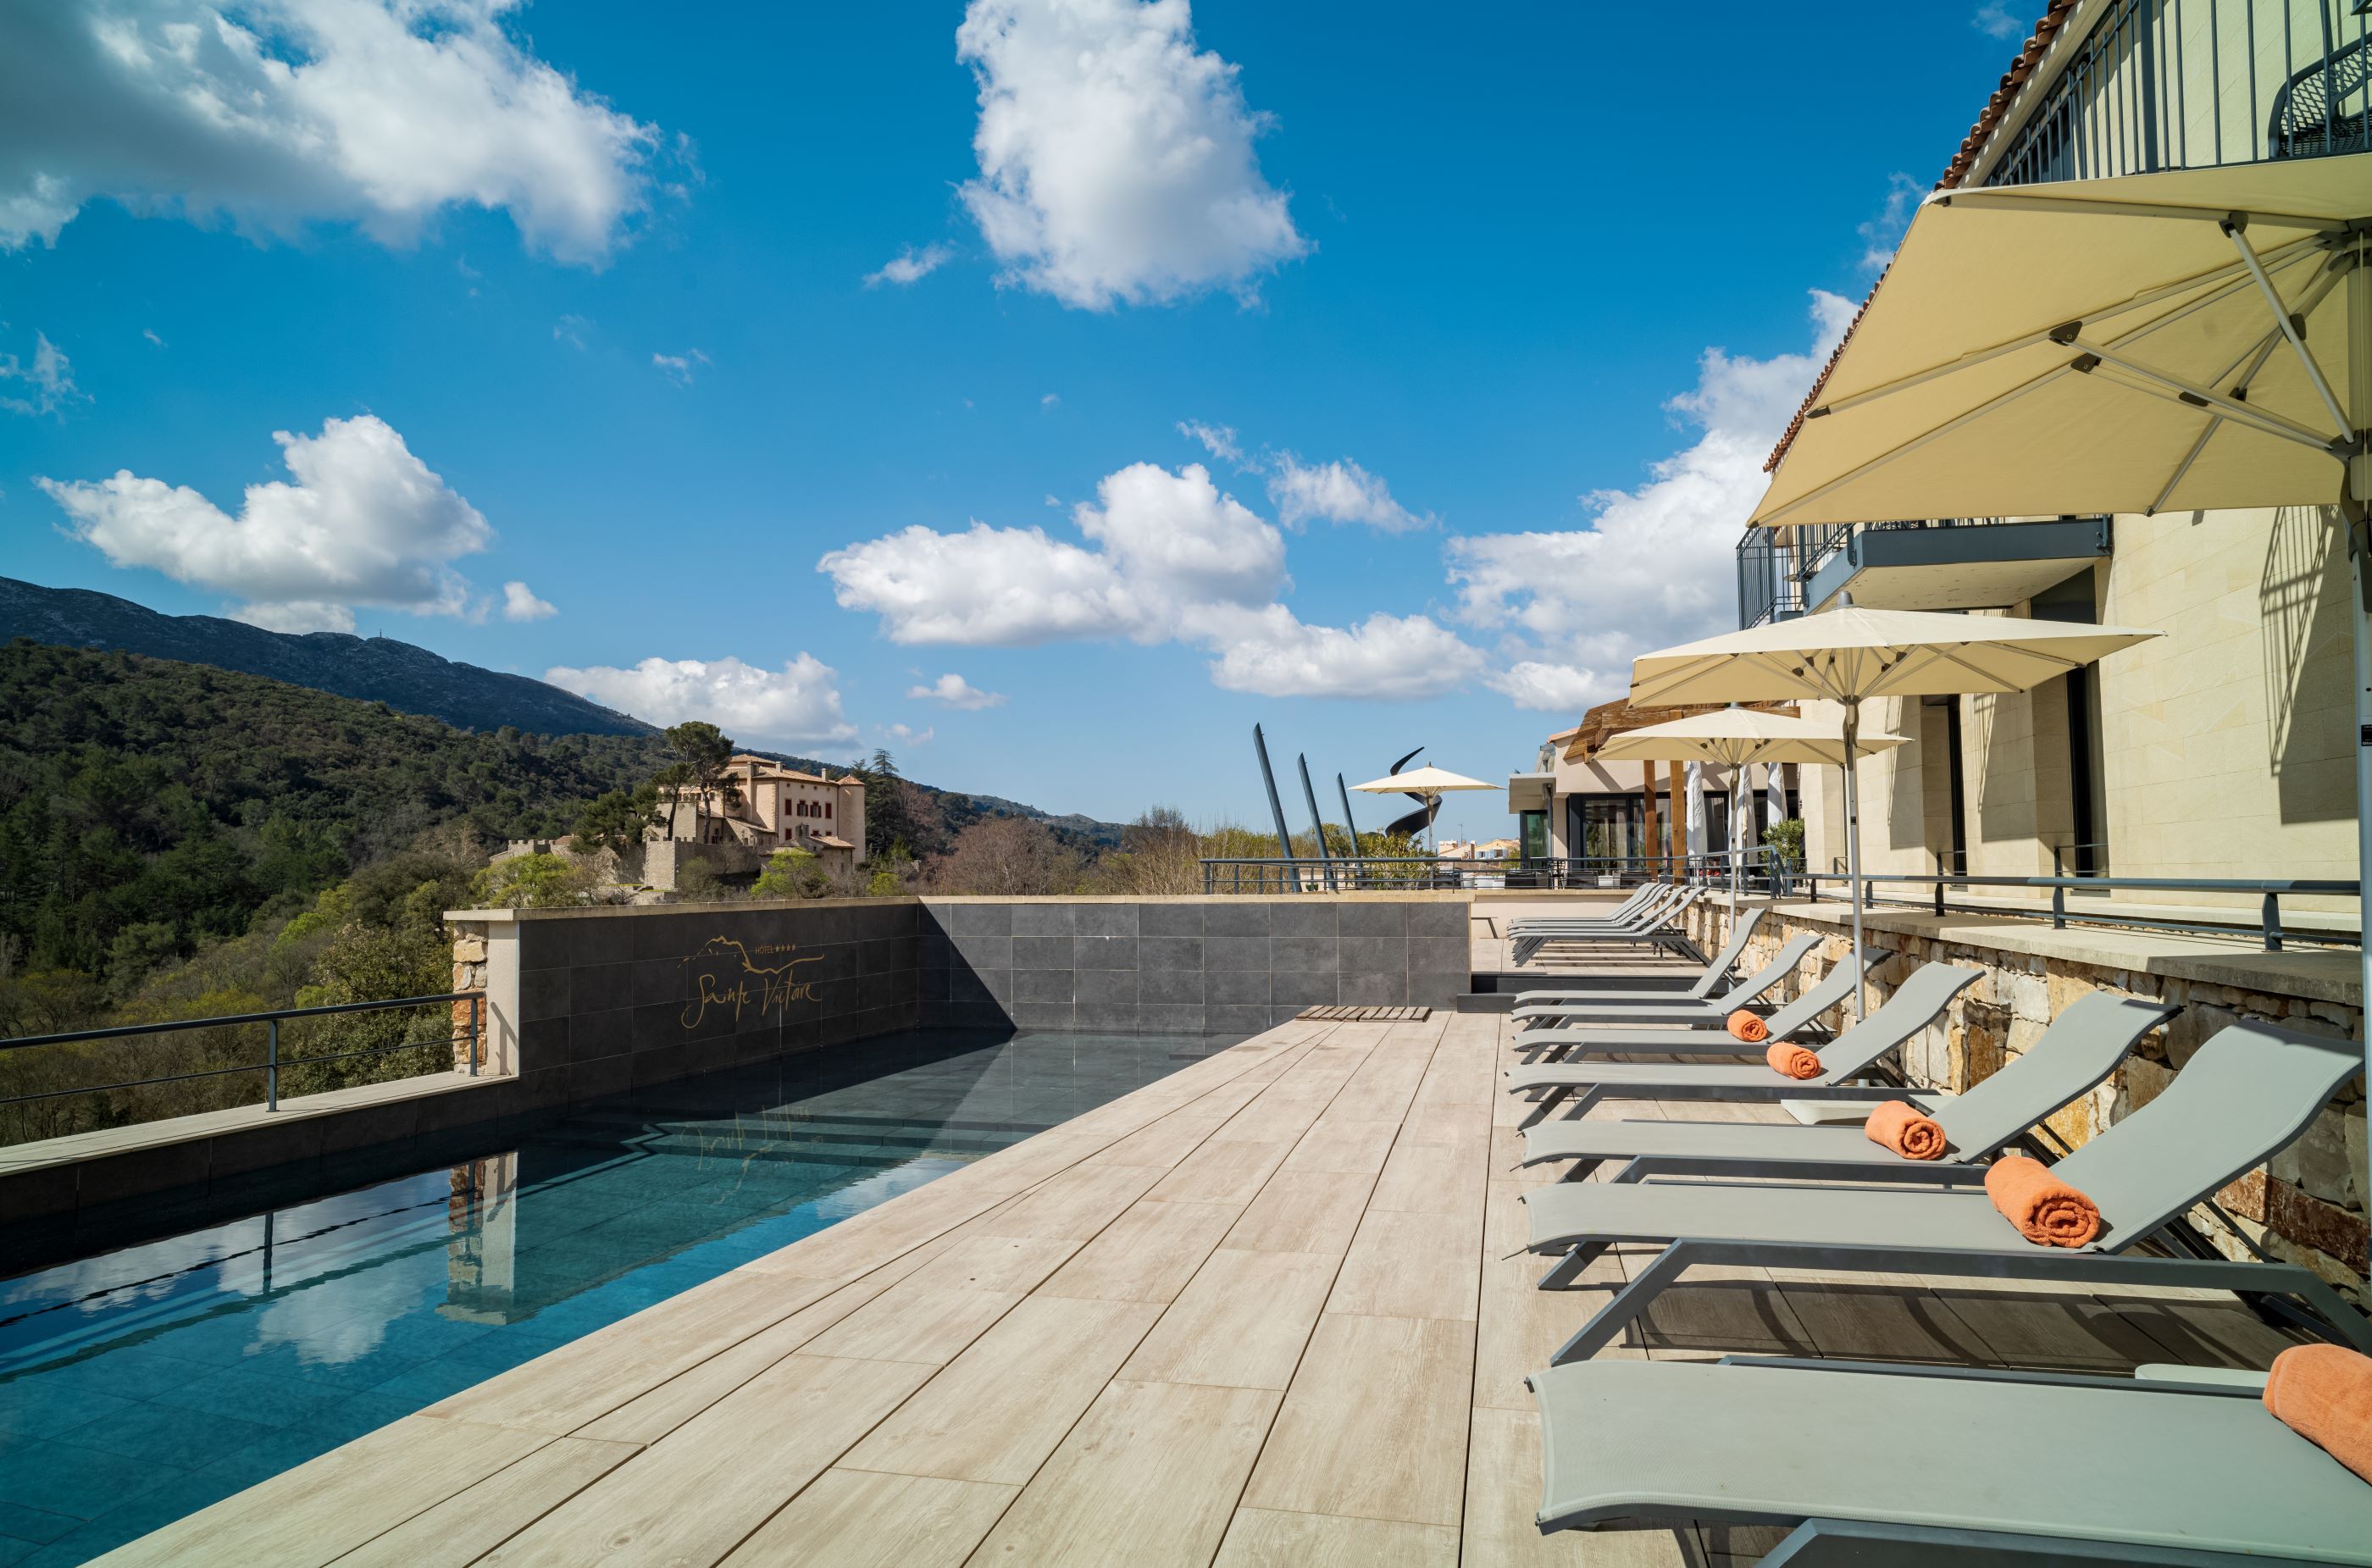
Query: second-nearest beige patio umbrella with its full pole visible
point(1851, 656)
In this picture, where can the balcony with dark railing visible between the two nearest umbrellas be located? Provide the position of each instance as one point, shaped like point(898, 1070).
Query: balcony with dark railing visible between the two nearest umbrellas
point(1937, 563)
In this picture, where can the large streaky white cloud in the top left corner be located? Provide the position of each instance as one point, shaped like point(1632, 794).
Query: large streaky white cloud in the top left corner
point(291, 110)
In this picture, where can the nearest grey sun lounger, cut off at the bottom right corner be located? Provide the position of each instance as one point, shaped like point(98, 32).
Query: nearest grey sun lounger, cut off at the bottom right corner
point(1944, 1467)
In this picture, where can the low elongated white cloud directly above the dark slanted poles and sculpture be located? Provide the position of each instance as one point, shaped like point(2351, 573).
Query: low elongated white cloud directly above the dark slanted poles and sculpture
point(1386, 656)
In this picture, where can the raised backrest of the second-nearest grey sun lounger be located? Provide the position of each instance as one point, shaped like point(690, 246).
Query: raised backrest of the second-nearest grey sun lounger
point(2236, 1104)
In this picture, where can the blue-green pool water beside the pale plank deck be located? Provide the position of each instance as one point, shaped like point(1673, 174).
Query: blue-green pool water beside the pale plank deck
point(148, 1382)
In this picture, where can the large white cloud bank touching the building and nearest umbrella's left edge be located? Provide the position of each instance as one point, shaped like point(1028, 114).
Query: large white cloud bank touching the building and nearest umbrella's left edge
point(1659, 563)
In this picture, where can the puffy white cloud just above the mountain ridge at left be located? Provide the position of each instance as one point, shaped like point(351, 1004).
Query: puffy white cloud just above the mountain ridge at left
point(364, 523)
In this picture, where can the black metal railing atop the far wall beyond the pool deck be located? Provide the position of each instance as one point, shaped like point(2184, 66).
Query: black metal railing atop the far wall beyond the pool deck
point(1427, 874)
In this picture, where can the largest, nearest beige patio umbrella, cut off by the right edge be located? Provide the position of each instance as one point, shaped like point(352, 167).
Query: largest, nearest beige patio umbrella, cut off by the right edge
point(2138, 345)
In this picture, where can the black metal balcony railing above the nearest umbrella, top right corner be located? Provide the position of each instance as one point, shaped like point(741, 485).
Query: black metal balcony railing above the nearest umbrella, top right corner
point(2195, 84)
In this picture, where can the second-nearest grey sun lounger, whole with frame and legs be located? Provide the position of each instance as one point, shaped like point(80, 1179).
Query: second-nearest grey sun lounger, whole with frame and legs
point(2243, 1097)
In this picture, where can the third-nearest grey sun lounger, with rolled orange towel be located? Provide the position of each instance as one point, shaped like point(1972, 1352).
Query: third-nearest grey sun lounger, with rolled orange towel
point(2077, 1052)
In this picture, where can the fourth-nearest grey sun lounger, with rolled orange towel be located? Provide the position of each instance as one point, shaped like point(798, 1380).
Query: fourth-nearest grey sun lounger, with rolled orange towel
point(1844, 1062)
